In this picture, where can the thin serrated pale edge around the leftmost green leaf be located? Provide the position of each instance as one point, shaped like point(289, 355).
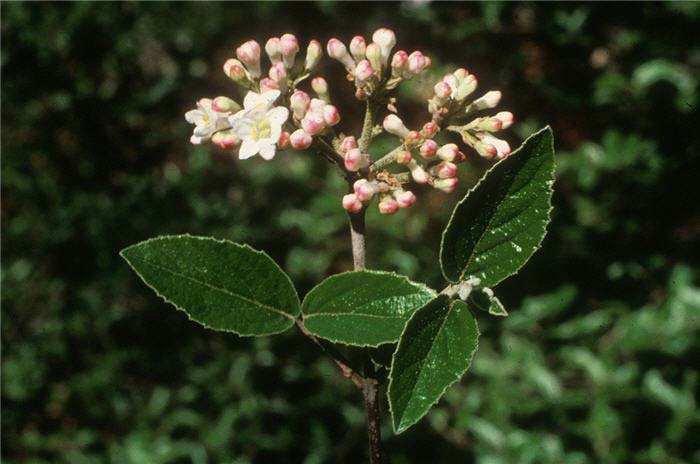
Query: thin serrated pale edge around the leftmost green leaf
point(240, 245)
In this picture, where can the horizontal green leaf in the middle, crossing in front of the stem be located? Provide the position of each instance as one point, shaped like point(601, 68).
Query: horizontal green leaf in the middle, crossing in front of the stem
point(363, 308)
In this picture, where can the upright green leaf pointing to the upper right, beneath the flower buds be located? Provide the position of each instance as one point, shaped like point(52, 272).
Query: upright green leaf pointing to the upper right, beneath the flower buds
point(501, 222)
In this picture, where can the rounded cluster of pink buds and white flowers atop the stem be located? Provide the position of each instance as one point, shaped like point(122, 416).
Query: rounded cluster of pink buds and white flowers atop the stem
point(277, 114)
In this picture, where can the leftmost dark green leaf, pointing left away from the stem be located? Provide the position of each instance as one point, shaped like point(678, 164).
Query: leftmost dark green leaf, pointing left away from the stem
point(220, 284)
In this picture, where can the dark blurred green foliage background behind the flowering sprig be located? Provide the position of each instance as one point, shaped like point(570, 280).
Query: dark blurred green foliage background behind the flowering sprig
point(598, 362)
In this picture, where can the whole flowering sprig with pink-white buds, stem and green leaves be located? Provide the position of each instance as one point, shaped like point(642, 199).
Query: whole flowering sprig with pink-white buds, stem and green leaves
point(432, 336)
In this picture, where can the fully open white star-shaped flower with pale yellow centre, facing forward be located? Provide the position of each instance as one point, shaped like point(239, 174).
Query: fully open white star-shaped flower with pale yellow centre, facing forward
point(259, 125)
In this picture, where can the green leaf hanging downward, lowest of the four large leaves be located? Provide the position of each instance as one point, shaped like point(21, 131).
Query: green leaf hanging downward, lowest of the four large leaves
point(434, 351)
